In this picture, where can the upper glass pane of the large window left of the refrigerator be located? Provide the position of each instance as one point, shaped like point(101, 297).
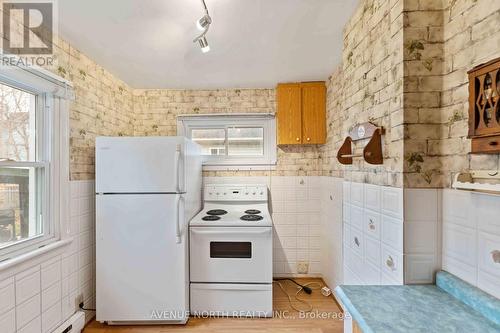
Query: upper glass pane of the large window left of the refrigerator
point(17, 124)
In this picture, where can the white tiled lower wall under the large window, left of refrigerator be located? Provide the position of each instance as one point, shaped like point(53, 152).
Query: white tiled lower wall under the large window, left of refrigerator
point(38, 295)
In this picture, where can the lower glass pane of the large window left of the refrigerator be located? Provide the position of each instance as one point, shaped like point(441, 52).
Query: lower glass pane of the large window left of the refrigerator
point(18, 205)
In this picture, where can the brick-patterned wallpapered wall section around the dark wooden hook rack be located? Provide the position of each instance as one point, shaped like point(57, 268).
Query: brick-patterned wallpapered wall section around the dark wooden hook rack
point(368, 86)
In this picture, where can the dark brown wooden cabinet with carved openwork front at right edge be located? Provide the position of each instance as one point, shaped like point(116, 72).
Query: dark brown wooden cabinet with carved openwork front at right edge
point(484, 107)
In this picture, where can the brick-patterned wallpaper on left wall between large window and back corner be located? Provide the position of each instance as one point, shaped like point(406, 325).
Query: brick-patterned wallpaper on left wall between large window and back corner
point(103, 106)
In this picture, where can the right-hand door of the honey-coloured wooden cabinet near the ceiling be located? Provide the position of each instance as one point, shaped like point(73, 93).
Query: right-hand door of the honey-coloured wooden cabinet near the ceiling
point(313, 113)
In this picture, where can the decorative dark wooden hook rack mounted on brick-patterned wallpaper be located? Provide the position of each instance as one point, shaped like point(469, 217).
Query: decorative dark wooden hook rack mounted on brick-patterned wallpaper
point(372, 152)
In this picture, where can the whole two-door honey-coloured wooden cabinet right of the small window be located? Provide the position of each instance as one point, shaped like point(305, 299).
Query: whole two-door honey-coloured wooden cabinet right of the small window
point(301, 113)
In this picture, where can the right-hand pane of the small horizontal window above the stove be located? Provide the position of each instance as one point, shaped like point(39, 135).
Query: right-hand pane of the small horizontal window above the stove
point(245, 141)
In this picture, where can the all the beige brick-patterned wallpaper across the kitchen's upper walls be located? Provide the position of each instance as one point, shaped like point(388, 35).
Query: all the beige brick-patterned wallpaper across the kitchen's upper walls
point(404, 67)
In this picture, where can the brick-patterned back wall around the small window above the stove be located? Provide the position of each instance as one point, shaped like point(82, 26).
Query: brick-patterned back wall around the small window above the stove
point(156, 111)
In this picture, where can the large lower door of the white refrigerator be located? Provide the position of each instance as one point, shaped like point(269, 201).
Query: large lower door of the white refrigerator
point(141, 258)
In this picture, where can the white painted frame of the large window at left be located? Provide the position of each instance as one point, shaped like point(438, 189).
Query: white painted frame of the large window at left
point(53, 145)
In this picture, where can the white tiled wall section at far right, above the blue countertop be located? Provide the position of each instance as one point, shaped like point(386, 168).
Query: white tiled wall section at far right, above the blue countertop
point(471, 232)
